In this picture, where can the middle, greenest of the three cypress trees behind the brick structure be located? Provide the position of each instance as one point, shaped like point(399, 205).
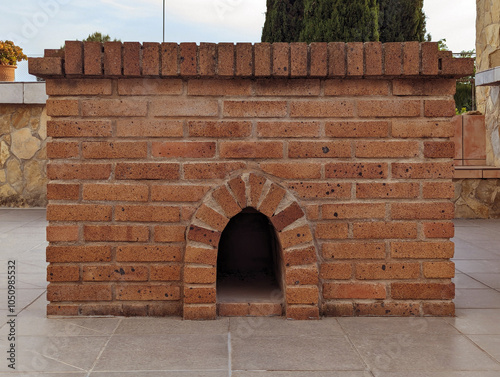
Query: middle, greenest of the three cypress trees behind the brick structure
point(336, 20)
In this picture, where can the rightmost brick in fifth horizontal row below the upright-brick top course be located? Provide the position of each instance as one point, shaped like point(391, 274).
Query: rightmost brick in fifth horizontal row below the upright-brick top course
point(425, 170)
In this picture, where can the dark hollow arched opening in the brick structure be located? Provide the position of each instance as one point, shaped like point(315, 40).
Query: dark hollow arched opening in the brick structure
point(248, 262)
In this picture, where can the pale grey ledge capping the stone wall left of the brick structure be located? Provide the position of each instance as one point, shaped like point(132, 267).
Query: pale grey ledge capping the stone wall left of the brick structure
point(23, 93)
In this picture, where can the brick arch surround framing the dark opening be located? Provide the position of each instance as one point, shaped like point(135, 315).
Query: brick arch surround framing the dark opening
point(298, 252)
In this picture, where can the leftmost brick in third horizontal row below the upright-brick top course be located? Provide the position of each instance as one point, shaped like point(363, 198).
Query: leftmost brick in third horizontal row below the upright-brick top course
point(79, 128)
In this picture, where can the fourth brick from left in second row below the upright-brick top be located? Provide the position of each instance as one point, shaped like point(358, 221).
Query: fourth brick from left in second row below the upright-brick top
point(254, 109)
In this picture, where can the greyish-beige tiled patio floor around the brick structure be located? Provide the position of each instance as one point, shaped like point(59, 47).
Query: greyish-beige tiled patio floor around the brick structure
point(465, 346)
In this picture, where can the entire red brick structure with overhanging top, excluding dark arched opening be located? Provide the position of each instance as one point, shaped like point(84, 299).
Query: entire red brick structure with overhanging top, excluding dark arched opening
point(345, 147)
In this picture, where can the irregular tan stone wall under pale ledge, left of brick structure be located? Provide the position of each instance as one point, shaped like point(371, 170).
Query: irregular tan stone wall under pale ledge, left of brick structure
point(23, 131)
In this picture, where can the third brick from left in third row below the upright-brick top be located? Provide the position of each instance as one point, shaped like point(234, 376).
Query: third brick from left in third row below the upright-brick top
point(219, 129)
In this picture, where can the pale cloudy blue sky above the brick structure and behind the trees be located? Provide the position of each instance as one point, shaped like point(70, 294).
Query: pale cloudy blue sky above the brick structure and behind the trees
point(39, 24)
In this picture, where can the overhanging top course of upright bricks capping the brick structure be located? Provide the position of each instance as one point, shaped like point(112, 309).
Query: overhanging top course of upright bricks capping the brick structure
point(225, 60)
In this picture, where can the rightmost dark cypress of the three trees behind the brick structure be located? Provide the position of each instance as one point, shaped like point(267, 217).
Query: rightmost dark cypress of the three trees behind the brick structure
point(401, 20)
